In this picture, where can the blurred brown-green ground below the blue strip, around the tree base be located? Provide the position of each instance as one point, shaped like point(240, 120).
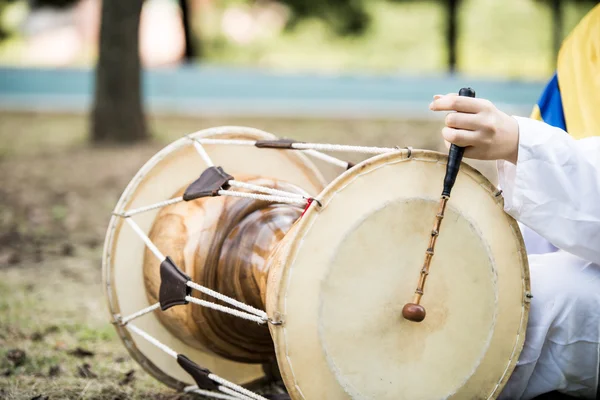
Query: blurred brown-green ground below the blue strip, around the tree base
point(56, 195)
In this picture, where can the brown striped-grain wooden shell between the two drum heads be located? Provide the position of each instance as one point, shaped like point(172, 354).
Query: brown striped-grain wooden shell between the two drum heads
point(222, 243)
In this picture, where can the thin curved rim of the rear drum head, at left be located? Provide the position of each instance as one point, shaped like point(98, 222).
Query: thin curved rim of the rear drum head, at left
point(245, 133)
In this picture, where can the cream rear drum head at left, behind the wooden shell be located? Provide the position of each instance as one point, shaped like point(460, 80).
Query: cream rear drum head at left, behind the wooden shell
point(175, 166)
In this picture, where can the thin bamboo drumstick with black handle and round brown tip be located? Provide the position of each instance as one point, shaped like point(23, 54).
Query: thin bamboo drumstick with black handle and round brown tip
point(414, 311)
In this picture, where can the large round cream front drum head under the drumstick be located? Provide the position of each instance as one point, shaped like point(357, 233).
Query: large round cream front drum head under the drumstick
point(348, 268)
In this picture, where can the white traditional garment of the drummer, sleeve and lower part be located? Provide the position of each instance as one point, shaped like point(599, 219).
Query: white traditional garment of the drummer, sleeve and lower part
point(554, 189)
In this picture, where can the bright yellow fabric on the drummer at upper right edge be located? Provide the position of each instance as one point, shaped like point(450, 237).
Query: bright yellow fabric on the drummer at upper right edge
point(579, 77)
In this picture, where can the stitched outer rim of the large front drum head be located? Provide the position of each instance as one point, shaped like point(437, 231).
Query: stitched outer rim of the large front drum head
point(277, 304)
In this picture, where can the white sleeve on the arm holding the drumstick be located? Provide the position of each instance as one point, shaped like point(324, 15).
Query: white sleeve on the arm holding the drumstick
point(554, 188)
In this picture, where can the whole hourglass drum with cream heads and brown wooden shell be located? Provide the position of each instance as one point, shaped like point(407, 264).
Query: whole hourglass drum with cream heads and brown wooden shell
point(333, 277)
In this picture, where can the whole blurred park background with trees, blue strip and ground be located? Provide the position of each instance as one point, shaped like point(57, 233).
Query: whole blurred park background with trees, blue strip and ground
point(90, 89)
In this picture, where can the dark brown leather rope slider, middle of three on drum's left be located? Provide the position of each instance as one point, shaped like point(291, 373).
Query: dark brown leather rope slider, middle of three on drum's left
point(173, 285)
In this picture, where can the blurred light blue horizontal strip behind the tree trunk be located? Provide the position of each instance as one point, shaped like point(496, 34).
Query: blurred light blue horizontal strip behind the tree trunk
point(230, 91)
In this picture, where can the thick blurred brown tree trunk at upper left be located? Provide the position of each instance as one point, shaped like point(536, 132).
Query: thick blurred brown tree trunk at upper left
point(118, 112)
